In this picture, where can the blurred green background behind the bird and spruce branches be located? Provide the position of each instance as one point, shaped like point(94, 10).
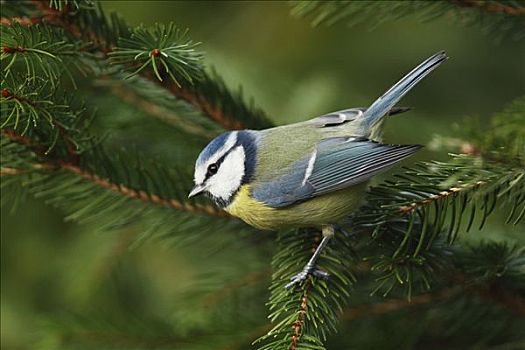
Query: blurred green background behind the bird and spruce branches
point(55, 273)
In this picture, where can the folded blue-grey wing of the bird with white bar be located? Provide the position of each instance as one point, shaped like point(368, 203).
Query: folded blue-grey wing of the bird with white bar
point(335, 164)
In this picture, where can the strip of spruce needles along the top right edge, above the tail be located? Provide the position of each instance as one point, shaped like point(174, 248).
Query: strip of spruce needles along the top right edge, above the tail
point(502, 18)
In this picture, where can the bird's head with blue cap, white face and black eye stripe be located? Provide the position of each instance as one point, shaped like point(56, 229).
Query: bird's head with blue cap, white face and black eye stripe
point(224, 165)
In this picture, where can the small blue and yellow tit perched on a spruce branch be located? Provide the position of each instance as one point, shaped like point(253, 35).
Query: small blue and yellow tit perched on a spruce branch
point(312, 173)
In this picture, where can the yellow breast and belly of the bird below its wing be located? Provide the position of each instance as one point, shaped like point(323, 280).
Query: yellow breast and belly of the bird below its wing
point(327, 209)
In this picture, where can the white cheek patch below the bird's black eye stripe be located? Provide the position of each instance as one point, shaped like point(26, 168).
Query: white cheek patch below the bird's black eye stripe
point(229, 177)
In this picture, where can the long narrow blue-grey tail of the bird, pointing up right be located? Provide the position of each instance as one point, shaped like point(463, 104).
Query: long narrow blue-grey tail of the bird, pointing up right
point(382, 105)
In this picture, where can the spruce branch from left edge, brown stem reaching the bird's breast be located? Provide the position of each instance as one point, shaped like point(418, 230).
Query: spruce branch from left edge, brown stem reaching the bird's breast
point(32, 101)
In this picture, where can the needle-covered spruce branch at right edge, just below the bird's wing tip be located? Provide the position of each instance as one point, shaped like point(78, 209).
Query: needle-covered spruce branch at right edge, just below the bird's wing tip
point(440, 194)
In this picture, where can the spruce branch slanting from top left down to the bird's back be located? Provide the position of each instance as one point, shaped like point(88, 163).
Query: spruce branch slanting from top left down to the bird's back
point(208, 92)
